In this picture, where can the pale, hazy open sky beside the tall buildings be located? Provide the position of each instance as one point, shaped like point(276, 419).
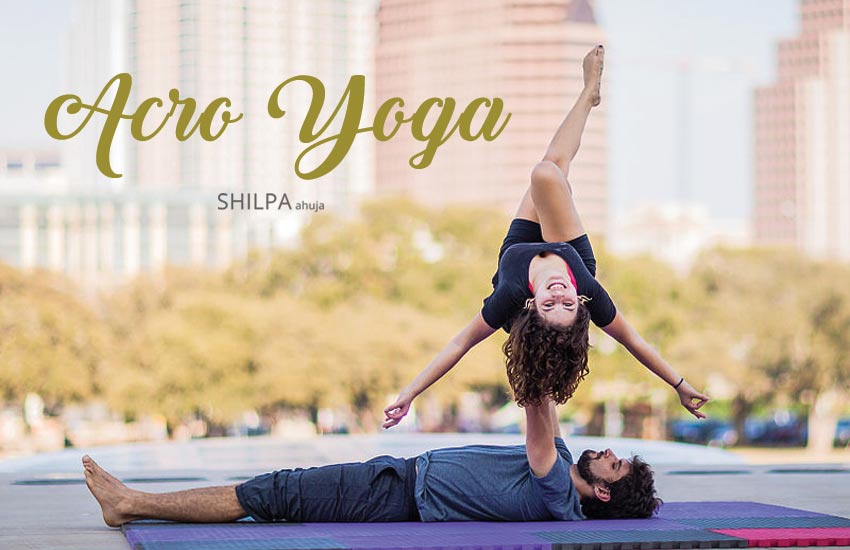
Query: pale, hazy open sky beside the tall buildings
point(659, 113)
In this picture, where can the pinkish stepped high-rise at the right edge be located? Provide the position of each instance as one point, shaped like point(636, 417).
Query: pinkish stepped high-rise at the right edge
point(802, 137)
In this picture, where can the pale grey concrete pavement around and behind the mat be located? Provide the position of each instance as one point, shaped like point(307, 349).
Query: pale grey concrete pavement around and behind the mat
point(66, 516)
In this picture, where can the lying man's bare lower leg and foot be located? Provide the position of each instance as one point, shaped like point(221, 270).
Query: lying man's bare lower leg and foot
point(121, 504)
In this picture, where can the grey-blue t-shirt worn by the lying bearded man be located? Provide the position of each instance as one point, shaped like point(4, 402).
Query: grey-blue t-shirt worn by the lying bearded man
point(494, 483)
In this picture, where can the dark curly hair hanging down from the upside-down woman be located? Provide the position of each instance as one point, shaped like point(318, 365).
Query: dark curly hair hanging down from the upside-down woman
point(544, 360)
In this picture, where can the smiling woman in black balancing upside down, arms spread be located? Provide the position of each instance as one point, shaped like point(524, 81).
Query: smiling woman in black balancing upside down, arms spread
point(545, 292)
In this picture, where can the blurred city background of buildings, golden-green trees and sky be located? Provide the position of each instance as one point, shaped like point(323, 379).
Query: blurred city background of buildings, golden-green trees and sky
point(714, 180)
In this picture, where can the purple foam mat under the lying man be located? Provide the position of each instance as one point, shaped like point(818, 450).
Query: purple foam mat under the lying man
point(666, 530)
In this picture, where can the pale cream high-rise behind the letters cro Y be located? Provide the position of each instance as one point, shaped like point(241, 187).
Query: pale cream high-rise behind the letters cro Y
point(243, 50)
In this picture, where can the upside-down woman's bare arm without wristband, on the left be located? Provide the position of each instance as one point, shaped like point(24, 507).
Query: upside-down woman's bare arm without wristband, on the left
point(476, 331)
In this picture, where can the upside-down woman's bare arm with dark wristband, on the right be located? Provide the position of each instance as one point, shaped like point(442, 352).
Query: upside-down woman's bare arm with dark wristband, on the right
point(623, 332)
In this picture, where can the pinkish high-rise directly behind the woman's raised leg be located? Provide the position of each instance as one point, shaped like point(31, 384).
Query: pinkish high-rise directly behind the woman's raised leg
point(527, 52)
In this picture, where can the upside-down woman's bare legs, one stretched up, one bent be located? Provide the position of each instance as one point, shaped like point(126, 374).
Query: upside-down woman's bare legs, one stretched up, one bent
point(549, 199)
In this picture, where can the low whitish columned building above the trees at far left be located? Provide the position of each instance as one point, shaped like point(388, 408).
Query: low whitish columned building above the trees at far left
point(96, 236)
